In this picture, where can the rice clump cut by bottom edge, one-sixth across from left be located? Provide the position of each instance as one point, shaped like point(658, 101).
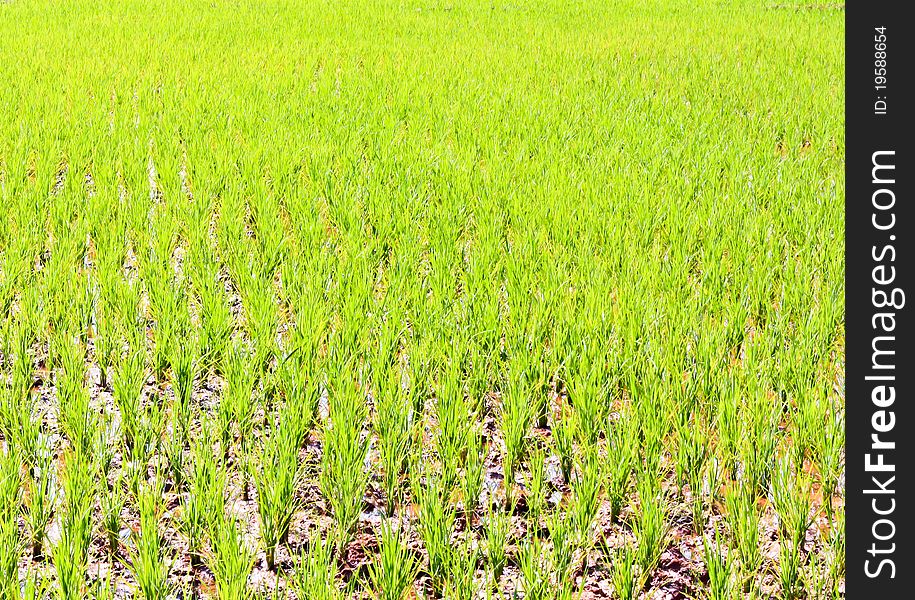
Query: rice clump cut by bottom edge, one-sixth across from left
point(148, 561)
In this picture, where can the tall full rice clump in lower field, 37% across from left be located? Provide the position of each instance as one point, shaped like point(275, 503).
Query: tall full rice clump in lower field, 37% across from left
point(343, 476)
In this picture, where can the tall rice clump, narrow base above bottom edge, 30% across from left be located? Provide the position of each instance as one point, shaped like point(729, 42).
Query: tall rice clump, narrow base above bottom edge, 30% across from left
point(276, 482)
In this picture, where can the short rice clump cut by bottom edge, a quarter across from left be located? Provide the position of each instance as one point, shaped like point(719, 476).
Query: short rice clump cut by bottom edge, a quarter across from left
point(230, 558)
